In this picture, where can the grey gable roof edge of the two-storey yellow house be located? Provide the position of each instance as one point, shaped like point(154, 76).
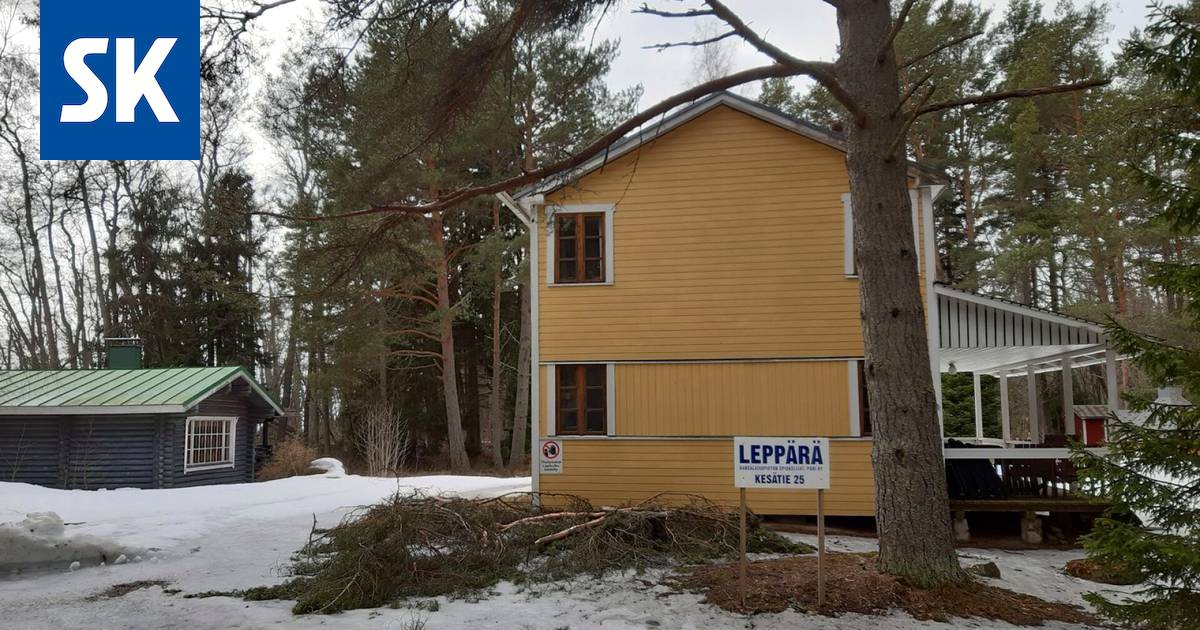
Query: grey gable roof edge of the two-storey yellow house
point(652, 131)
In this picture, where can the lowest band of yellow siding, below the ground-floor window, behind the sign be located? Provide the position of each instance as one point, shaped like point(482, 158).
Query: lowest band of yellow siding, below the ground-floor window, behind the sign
point(615, 472)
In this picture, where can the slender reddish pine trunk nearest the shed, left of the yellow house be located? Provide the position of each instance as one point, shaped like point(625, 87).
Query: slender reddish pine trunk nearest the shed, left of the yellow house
point(455, 436)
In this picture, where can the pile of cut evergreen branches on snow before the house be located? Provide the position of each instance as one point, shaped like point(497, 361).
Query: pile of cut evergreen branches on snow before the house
point(430, 547)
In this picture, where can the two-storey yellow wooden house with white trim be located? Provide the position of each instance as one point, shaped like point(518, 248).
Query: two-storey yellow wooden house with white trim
point(697, 283)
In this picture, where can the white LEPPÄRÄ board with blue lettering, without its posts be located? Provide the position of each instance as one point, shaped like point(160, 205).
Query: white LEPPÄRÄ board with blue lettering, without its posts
point(782, 464)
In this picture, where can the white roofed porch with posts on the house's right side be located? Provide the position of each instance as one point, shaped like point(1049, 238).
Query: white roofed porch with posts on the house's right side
point(1027, 469)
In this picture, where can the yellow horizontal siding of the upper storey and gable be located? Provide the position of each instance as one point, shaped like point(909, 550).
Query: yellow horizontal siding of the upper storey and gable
point(728, 244)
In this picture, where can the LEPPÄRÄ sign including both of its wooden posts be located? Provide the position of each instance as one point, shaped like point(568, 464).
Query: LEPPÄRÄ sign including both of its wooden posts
point(782, 464)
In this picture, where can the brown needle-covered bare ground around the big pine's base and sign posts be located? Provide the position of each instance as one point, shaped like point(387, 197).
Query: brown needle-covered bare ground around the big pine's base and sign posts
point(854, 585)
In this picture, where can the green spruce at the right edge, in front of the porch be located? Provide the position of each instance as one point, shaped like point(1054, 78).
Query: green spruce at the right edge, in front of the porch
point(1151, 473)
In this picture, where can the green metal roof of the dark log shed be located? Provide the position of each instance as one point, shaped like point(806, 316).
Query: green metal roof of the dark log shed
point(71, 392)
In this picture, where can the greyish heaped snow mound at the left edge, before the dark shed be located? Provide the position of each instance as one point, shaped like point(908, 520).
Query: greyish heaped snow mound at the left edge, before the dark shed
point(41, 541)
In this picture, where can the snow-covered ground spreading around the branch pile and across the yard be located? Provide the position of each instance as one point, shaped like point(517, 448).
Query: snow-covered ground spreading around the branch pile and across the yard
point(223, 538)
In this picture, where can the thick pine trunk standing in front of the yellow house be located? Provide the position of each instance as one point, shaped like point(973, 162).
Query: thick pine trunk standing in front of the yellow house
point(913, 509)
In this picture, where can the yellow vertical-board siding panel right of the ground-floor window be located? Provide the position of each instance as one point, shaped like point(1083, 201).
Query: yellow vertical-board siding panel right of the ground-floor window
point(734, 399)
